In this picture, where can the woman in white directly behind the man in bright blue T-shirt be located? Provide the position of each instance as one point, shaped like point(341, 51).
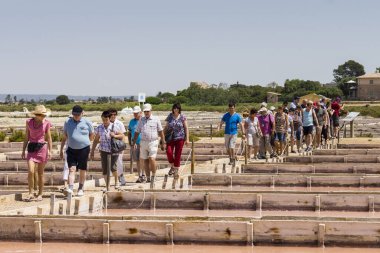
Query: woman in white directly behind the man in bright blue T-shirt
point(253, 133)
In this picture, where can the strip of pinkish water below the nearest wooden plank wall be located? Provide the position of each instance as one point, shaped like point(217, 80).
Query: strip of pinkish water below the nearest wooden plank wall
point(21, 247)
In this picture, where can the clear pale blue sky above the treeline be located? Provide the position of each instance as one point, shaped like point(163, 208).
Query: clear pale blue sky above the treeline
point(109, 48)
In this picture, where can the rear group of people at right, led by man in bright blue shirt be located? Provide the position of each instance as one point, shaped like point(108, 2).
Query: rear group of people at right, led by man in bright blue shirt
point(269, 132)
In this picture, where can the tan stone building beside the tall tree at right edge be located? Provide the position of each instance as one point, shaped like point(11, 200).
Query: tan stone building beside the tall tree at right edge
point(369, 86)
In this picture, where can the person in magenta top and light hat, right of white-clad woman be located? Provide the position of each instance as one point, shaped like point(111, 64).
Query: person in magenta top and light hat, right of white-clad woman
point(266, 122)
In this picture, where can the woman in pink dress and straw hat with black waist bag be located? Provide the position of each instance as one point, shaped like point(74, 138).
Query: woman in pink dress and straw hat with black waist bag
point(39, 144)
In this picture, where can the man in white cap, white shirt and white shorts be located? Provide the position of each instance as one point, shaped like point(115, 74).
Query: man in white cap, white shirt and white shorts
point(149, 127)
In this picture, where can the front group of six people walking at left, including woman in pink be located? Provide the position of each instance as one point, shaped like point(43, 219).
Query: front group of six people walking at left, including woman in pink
point(144, 132)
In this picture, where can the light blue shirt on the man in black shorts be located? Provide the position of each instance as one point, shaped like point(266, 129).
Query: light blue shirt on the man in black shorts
point(78, 133)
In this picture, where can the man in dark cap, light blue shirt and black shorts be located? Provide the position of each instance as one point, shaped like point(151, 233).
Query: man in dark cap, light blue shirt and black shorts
point(79, 133)
